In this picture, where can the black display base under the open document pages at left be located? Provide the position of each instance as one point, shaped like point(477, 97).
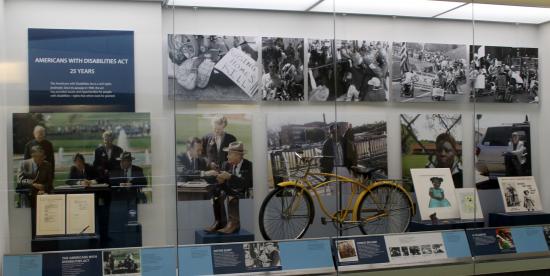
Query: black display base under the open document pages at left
point(58, 243)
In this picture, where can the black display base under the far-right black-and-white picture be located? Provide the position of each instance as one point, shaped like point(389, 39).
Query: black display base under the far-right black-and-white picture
point(516, 219)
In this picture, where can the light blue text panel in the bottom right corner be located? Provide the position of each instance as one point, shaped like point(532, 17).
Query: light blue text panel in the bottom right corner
point(529, 239)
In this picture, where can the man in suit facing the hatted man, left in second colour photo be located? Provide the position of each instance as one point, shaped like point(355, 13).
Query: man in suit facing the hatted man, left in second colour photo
point(190, 165)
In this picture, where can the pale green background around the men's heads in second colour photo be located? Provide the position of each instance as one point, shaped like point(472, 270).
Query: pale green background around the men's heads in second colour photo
point(188, 125)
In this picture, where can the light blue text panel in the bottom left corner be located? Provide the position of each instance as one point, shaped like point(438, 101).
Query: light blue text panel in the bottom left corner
point(23, 265)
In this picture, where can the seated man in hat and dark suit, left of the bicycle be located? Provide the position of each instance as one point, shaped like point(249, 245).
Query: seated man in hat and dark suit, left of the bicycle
point(233, 181)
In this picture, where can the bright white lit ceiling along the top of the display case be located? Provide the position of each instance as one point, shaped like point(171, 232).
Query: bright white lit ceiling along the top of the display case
point(459, 10)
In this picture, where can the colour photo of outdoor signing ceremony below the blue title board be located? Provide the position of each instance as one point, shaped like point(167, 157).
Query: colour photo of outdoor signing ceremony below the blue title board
point(62, 151)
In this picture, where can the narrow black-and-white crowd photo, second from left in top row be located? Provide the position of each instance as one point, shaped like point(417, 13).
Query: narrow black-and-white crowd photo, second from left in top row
point(283, 69)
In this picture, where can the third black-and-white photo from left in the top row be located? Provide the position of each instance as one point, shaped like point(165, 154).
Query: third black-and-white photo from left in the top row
point(362, 70)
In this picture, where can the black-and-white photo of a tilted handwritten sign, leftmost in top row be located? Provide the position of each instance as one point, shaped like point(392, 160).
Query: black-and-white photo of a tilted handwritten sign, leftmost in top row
point(213, 68)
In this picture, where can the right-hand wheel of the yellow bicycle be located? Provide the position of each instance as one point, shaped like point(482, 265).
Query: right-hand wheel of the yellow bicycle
point(385, 208)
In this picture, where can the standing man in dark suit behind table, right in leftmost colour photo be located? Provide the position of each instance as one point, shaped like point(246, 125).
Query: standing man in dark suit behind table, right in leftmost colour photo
point(105, 157)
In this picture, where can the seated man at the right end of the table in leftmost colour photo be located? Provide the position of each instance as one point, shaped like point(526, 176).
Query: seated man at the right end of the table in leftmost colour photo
point(127, 175)
